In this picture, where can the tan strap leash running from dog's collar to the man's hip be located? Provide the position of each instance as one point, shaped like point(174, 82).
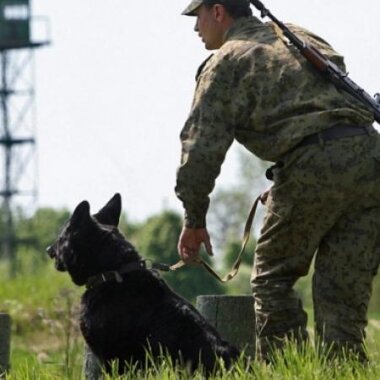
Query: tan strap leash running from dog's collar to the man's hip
point(235, 268)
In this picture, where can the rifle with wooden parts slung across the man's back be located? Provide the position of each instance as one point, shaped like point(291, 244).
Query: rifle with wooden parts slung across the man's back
point(329, 69)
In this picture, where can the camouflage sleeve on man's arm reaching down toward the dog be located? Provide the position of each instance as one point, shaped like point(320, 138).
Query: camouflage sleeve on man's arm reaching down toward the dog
point(208, 133)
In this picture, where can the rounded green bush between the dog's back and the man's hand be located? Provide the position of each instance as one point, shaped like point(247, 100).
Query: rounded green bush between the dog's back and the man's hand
point(157, 239)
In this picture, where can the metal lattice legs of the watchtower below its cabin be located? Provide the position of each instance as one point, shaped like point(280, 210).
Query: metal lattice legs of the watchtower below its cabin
point(17, 135)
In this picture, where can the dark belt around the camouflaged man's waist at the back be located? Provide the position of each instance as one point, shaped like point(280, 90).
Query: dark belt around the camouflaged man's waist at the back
point(332, 133)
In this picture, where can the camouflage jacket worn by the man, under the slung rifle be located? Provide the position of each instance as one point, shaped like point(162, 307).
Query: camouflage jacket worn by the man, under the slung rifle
point(263, 93)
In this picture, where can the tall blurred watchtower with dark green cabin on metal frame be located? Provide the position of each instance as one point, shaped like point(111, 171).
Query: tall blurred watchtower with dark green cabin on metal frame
point(20, 34)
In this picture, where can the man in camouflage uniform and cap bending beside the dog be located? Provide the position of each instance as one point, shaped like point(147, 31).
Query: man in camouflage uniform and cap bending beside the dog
point(325, 200)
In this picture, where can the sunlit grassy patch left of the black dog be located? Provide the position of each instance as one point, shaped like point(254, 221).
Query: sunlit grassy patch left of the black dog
point(43, 304)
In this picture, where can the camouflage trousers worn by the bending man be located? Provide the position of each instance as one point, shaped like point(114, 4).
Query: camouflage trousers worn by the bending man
point(324, 205)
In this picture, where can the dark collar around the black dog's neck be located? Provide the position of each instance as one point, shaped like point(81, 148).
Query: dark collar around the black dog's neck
point(95, 281)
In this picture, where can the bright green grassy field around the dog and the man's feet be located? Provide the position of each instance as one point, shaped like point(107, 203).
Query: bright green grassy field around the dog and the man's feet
point(46, 342)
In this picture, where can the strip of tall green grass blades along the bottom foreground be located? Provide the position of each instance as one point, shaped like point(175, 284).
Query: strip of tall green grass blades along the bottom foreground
point(289, 365)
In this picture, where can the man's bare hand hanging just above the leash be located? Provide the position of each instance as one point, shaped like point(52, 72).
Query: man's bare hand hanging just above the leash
point(190, 242)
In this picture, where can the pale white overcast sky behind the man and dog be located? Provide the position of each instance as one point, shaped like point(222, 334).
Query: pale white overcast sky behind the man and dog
point(114, 88)
